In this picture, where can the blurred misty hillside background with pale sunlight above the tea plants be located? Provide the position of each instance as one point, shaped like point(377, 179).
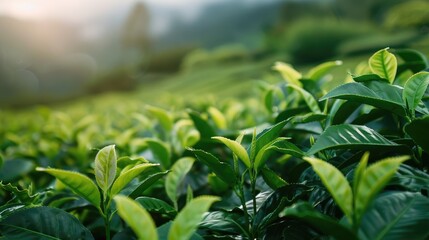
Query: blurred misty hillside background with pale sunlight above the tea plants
point(56, 51)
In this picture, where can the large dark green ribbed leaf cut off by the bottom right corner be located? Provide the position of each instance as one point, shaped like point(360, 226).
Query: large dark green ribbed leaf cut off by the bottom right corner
point(397, 215)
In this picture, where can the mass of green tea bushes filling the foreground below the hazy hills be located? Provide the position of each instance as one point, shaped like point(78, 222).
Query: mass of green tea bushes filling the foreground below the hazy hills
point(294, 162)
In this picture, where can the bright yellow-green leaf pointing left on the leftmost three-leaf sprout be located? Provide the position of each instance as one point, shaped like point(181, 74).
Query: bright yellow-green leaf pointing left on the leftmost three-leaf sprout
point(79, 183)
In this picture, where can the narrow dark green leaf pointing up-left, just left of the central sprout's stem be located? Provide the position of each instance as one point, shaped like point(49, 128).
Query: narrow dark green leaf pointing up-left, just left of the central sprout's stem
point(222, 170)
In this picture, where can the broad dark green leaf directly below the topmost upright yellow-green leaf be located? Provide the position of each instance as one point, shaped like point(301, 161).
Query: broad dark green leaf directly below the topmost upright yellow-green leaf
point(360, 93)
